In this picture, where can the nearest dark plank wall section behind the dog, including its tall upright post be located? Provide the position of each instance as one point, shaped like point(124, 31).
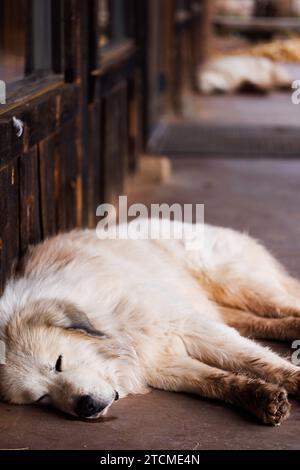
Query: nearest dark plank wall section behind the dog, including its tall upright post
point(81, 138)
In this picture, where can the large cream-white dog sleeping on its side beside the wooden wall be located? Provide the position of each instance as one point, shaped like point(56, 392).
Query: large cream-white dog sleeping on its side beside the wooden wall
point(86, 321)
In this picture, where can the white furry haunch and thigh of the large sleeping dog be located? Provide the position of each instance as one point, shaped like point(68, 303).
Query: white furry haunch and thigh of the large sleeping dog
point(236, 271)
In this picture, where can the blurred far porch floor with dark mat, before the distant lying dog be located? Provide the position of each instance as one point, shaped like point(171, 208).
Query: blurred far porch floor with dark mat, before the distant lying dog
point(239, 125)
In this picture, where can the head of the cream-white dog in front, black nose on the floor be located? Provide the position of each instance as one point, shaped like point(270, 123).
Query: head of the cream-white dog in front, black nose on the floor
point(55, 356)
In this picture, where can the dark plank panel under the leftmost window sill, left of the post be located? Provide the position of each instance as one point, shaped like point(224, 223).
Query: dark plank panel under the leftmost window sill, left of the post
point(38, 175)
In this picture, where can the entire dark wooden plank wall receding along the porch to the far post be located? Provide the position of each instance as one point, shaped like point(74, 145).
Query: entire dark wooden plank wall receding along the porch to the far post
point(85, 128)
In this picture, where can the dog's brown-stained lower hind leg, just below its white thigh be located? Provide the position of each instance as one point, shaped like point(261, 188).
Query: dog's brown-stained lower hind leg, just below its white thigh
point(253, 326)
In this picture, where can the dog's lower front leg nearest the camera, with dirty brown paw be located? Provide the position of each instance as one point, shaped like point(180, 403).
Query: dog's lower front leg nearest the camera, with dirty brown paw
point(267, 402)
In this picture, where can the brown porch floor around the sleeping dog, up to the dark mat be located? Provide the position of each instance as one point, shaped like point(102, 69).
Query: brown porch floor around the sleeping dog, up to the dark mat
point(259, 196)
